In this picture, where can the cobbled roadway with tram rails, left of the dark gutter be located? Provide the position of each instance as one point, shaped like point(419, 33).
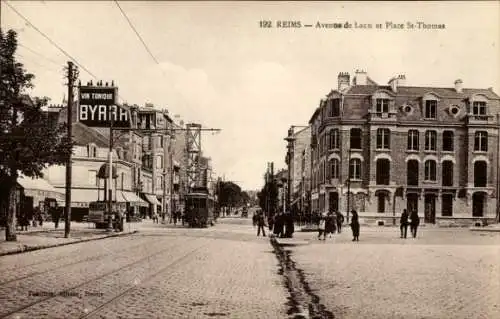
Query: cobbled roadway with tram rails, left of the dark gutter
point(158, 273)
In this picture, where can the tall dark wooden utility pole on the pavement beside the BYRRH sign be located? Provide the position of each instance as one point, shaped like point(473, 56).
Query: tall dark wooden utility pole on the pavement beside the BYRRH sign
point(67, 213)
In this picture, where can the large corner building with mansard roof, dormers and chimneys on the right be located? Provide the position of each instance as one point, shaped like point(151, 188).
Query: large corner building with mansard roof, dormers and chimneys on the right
point(381, 148)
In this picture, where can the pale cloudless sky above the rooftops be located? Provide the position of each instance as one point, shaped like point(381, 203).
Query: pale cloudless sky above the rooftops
point(214, 65)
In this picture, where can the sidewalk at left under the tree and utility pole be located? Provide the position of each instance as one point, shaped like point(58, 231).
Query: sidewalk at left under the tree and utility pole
point(47, 236)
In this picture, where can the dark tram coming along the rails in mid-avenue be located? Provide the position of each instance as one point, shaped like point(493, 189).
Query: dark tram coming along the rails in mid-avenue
point(199, 208)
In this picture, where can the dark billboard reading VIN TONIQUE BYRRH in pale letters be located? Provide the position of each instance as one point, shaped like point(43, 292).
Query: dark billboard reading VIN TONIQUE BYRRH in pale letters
point(97, 108)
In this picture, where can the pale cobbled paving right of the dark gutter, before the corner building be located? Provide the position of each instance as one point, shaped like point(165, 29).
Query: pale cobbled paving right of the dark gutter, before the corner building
point(444, 273)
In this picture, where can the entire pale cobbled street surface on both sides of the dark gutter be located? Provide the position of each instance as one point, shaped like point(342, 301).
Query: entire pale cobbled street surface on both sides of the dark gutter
point(227, 272)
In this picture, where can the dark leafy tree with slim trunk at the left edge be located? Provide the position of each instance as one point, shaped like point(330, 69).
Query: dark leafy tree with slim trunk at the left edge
point(28, 142)
